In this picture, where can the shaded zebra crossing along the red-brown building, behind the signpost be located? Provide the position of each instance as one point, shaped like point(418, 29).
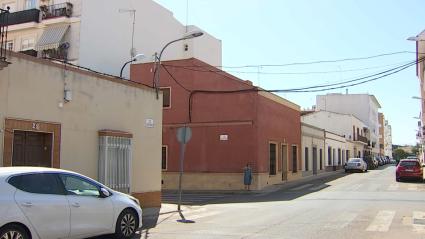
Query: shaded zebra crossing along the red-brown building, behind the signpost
point(191, 198)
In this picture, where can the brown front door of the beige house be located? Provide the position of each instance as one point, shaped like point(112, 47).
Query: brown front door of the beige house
point(32, 149)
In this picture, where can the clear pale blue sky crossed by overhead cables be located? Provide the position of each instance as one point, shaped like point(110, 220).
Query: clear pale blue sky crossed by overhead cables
point(259, 32)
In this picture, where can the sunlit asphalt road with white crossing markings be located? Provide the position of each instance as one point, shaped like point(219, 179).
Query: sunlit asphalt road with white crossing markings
point(358, 205)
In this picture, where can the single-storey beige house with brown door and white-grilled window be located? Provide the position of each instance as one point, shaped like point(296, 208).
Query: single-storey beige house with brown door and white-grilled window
point(56, 115)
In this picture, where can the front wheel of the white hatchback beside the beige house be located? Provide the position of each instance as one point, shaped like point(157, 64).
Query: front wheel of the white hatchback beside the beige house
point(127, 224)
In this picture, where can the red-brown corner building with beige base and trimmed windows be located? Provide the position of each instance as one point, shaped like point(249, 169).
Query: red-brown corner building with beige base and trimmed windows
point(233, 124)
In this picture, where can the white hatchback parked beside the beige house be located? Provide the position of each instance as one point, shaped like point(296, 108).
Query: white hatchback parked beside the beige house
point(45, 203)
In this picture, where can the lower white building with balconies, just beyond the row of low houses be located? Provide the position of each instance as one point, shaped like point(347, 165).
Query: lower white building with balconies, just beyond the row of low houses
point(350, 127)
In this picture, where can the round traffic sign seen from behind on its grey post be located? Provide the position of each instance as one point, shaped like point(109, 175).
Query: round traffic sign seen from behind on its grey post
point(183, 136)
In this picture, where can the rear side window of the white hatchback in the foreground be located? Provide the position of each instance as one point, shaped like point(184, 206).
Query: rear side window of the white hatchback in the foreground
point(41, 183)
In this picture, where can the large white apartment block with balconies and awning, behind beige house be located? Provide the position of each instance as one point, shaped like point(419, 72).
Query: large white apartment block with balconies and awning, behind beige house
point(98, 34)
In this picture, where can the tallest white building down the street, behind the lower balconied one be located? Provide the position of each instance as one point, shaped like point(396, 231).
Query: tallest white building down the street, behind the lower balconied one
point(363, 106)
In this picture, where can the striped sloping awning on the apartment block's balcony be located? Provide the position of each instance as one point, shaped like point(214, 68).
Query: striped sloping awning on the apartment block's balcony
point(51, 38)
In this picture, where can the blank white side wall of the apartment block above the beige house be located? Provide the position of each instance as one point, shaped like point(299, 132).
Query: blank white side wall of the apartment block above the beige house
point(106, 35)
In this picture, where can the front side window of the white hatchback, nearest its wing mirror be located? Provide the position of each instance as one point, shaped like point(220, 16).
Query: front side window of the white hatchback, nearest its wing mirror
point(75, 185)
